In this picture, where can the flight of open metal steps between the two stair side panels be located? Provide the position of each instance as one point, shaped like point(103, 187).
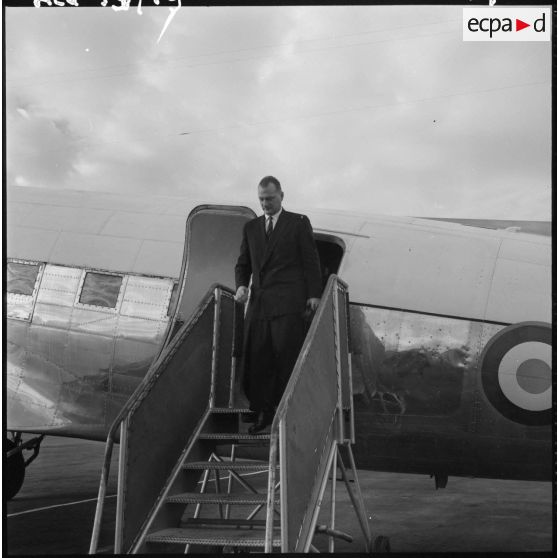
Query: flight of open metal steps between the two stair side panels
point(201, 508)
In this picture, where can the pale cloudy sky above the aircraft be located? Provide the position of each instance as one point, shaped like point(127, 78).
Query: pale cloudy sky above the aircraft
point(379, 109)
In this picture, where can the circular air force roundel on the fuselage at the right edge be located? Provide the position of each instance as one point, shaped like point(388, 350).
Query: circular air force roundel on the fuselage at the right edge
point(516, 370)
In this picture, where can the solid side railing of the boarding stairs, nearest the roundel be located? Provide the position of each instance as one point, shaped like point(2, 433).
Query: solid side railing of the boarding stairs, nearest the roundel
point(309, 422)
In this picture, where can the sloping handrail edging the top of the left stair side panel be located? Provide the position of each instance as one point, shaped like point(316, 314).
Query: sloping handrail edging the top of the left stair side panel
point(142, 389)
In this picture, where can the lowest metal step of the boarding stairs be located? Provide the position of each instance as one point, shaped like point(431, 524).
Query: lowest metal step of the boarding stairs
point(214, 536)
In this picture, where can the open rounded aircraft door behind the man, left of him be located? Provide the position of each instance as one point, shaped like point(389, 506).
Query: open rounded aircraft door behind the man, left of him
point(211, 248)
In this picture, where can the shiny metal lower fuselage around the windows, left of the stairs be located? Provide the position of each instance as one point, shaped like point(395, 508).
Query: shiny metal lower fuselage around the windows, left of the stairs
point(72, 366)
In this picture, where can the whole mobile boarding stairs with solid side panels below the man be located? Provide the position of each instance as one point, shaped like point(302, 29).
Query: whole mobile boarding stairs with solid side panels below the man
point(192, 479)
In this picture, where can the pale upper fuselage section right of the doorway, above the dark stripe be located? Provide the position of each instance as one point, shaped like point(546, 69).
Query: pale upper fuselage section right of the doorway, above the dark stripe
point(458, 272)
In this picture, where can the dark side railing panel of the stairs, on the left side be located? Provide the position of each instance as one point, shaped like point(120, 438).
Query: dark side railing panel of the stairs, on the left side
point(190, 372)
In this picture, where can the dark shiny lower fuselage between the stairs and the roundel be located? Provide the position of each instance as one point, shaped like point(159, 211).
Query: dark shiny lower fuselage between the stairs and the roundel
point(420, 406)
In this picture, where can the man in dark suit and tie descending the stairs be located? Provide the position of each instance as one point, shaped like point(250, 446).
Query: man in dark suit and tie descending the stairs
point(279, 253)
